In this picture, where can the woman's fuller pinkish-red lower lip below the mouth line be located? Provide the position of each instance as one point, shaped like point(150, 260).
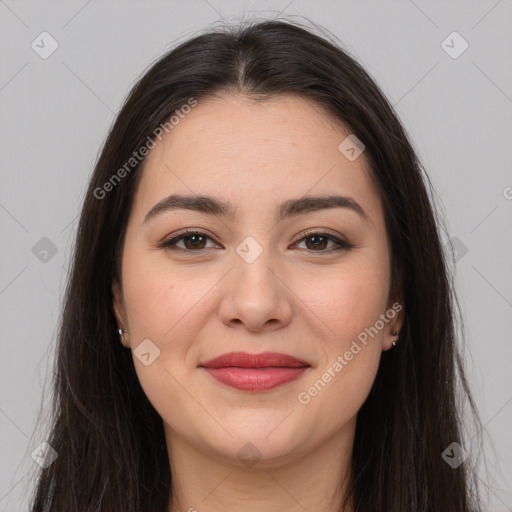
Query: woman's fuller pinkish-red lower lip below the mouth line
point(256, 379)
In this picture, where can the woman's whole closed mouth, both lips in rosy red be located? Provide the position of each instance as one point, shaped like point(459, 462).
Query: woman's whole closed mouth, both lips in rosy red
point(255, 372)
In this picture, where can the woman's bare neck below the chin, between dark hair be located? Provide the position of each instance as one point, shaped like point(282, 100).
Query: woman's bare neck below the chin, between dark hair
point(210, 482)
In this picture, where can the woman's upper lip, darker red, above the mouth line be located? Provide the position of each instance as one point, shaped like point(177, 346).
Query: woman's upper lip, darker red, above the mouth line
point(262, 360)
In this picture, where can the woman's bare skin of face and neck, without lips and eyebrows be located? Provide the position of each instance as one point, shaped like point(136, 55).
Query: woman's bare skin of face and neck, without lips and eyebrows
point(294, 298)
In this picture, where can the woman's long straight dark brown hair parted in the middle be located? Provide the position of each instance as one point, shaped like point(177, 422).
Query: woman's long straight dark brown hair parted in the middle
point(110, 439)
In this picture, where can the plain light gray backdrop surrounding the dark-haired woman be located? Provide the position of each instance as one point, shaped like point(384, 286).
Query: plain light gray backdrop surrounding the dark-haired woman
point(56, 112)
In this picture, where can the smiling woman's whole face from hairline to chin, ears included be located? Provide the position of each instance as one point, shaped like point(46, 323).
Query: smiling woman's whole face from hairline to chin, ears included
point(264, 276)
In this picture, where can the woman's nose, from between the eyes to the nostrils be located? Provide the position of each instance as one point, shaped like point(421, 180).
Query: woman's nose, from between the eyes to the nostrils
point(255, 296)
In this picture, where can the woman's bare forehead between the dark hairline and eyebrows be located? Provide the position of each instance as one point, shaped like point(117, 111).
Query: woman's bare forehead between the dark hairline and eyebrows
point(255, 154)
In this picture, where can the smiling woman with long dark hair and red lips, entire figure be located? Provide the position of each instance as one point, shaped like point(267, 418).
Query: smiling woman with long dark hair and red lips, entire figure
point(259, 314)
